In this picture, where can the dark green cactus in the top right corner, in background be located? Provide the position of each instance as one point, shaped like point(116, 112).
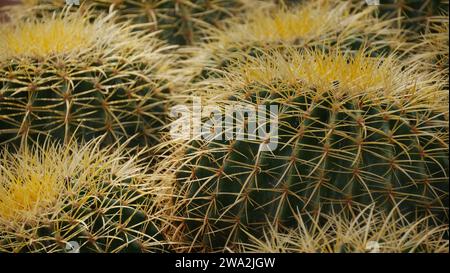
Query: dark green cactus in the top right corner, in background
point(412, 14)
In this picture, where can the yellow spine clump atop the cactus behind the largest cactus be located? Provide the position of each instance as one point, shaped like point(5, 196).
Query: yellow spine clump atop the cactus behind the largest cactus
point(315, 21)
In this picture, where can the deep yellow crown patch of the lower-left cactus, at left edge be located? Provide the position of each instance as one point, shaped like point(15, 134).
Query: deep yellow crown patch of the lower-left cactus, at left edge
point(30, 184)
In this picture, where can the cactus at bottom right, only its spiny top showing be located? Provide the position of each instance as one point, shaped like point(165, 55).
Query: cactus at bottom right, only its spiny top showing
point(370, 231)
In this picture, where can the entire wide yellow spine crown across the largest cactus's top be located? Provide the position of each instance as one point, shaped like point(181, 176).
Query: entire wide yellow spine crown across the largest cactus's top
point(337, 72)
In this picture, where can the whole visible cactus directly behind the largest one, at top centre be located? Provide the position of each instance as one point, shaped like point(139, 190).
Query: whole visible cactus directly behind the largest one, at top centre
point(311, 24)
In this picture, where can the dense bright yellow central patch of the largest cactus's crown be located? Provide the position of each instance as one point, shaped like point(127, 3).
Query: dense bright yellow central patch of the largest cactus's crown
point(354, 73)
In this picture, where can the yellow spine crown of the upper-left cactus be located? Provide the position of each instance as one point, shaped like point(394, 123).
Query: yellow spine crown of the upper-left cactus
point(65, 33)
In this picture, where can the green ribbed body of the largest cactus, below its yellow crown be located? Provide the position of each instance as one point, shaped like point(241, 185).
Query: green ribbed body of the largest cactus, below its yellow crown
point(334, 152)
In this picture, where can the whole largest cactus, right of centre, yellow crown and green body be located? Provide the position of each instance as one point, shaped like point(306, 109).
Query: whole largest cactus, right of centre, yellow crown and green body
point(353, 131)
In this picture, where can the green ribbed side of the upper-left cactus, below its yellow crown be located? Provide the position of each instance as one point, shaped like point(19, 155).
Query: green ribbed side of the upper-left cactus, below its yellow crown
point(38, 99)
